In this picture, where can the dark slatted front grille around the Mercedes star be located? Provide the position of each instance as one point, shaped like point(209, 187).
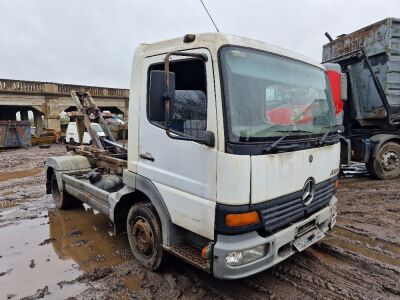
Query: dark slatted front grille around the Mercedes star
point(283, 211)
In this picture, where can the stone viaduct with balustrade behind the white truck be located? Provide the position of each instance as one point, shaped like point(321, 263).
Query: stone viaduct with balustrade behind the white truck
point(47, 100)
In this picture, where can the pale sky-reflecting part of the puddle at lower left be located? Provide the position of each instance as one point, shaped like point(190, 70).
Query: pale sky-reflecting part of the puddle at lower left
point(30, 267)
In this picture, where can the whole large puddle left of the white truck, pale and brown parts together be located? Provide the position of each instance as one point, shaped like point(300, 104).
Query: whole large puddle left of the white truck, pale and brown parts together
point(58, 248)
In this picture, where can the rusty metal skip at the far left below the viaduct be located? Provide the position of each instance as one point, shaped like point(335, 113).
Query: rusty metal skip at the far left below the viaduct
point(14, 134)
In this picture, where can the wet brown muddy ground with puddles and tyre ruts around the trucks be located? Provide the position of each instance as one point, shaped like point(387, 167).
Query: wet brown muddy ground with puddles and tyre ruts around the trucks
point(56, 254)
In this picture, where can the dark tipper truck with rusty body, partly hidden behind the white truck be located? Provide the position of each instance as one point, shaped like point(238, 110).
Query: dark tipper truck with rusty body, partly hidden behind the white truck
point(370, 58)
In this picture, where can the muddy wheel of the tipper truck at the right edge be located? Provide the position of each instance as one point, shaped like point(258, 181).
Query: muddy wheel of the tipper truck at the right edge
point(386, 163)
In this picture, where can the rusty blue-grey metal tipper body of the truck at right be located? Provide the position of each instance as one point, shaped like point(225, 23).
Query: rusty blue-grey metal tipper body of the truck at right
point(381, 43)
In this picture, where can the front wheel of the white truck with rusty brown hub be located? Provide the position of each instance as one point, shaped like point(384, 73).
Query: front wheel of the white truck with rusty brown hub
point(144, 234)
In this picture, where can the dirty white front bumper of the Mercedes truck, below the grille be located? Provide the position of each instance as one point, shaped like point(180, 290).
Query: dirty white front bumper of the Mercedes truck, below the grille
point(279, 245)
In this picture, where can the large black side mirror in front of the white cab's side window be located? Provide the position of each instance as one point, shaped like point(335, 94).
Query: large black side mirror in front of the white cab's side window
point(157, 95)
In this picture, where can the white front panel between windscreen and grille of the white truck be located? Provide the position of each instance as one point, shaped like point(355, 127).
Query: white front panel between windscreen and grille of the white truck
point(275, 175)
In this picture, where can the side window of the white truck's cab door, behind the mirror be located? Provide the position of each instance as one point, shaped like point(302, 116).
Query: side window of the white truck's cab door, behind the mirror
point(188, 110)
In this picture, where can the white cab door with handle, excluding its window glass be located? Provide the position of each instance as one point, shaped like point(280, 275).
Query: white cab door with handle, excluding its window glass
point(184, 172)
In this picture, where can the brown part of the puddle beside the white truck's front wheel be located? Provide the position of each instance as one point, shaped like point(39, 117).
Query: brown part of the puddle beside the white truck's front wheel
point(86, 236)
